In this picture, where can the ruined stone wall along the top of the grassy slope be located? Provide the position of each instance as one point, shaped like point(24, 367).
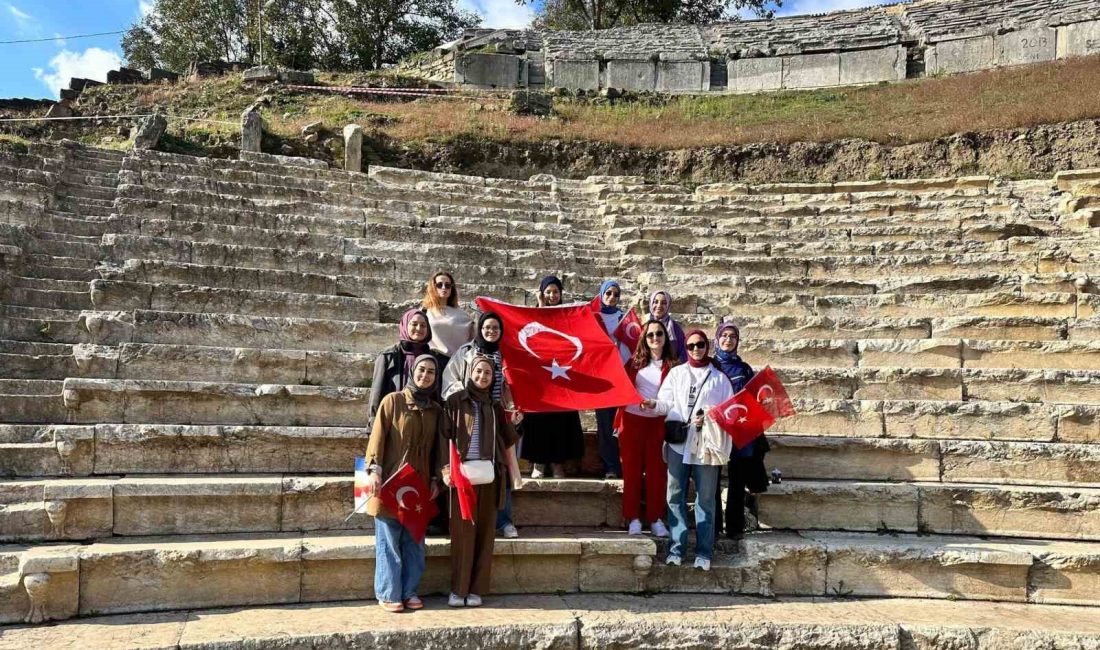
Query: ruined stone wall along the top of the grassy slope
point(873, 46)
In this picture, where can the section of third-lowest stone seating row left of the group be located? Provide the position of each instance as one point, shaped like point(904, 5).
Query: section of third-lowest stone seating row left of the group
point(75, 450)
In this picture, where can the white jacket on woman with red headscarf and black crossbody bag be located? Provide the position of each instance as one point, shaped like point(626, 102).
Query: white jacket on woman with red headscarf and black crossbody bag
point(673, 402)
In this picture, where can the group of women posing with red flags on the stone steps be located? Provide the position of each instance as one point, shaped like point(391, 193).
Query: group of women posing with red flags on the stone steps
point(443, 385)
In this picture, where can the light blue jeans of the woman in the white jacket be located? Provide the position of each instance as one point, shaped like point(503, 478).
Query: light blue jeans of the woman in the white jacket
point(707, 482)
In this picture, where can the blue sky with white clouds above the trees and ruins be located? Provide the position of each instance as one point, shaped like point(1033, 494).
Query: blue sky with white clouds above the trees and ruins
point(42, 70)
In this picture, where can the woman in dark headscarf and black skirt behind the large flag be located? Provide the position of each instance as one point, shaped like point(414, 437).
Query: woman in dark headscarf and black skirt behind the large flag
point(552, 439)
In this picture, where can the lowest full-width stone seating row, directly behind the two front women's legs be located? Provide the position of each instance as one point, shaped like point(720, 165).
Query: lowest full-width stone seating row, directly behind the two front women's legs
point(147, 575)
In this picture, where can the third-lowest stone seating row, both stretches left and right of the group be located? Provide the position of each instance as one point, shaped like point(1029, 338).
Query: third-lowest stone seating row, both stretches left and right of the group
point(78, 450)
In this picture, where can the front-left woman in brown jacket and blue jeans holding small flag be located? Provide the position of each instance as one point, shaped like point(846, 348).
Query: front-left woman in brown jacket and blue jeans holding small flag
point(408, 429)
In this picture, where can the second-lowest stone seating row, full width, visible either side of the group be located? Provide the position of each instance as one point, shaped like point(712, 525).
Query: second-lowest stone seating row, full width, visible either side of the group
point(37, 510)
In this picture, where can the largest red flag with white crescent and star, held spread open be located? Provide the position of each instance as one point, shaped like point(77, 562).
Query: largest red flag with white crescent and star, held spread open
point(560, 359)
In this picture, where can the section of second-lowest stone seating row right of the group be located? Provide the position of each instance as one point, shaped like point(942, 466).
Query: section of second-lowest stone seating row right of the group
point(947, 509)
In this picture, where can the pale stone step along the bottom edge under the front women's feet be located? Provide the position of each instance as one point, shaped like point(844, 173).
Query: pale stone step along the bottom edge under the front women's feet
point(577, 622)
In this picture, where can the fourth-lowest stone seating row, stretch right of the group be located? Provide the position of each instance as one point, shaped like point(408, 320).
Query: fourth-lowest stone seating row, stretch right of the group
point(959, 421)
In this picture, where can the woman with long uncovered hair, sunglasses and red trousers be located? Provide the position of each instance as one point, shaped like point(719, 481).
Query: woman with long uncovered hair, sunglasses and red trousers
point(642, 433)
